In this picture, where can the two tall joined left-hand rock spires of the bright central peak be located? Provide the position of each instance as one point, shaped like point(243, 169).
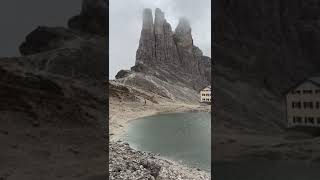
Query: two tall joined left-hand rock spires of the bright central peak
point(156, 42)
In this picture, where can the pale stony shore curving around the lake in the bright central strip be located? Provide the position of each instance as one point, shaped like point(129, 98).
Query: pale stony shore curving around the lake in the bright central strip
point(127, 163)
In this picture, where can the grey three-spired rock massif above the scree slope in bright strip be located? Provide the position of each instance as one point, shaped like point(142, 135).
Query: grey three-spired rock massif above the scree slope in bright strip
point(160, 48)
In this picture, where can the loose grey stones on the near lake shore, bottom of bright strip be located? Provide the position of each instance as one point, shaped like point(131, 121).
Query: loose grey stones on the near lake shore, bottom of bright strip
point(127, 164)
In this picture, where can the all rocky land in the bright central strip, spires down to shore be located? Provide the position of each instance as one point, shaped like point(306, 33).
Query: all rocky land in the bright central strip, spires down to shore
point(167, 76)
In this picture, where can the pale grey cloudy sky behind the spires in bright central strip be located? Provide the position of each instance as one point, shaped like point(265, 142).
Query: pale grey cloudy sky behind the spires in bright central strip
point(125, 23)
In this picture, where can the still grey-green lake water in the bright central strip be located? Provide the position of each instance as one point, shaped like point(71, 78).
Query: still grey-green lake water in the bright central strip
point(183, 137)
